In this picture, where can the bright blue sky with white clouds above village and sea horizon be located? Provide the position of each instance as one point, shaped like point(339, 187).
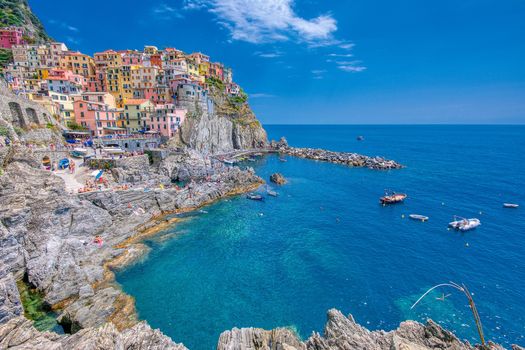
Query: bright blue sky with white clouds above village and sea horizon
point(330, 61)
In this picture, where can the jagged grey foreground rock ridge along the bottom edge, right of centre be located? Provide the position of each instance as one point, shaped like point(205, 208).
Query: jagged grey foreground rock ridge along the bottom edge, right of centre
point(344, 333)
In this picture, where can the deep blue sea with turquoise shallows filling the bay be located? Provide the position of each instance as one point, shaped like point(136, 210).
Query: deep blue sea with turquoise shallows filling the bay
point(326, 242)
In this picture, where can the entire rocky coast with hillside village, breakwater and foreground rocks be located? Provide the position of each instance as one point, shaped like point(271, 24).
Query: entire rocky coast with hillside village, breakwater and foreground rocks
point(82, 183)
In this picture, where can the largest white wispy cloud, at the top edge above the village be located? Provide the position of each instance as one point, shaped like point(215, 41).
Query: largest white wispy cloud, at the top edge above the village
point(262, 21)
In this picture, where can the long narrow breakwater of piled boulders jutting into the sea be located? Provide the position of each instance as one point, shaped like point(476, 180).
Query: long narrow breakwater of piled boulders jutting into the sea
point(345, 158)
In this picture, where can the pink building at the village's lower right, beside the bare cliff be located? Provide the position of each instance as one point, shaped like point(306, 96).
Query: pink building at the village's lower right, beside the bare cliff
point(166, 120)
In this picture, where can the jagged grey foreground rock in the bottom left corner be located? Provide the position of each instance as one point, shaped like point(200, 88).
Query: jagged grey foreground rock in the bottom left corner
point(19, 333)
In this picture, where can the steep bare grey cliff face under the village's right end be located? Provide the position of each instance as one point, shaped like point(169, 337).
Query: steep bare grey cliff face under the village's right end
point(220, 124)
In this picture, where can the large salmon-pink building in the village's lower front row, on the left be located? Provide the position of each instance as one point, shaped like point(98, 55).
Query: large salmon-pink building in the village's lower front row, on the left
point(97, 112)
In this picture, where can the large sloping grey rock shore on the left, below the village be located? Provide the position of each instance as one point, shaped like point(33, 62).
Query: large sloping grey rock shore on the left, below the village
point(47, 234)
